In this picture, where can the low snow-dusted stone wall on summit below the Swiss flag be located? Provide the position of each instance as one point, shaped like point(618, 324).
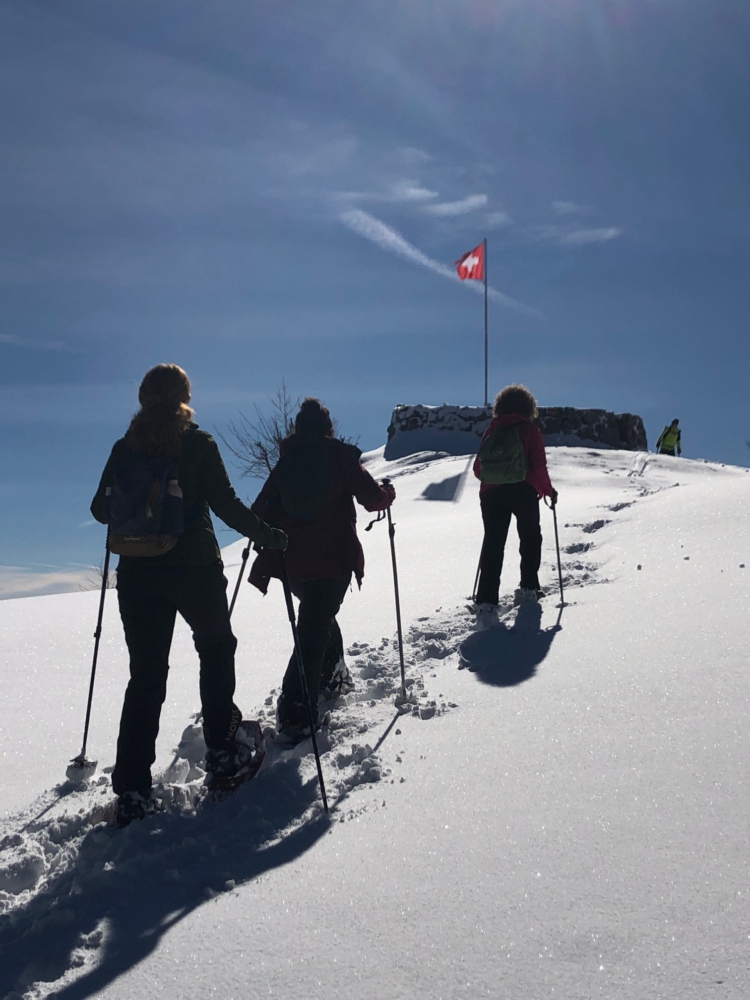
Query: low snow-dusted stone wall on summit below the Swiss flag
point(456, 430)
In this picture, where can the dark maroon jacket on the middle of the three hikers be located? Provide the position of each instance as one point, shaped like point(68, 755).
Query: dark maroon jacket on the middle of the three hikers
point(324, 546)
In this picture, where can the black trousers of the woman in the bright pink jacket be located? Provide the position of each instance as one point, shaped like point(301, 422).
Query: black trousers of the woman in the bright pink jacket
point(498, 505)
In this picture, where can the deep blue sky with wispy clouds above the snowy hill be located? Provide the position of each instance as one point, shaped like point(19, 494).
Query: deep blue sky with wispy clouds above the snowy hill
point(267, 190)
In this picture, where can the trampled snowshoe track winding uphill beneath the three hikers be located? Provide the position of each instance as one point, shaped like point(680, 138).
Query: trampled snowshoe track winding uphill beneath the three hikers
point(57, 848)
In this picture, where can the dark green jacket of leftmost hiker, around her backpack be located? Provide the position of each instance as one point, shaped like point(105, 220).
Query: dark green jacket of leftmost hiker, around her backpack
point(204, 483)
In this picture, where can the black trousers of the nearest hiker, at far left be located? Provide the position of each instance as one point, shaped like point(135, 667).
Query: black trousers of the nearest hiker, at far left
point(149, 598)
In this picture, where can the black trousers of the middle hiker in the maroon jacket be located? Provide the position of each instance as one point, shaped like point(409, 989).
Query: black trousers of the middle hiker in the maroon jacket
point(320, 642)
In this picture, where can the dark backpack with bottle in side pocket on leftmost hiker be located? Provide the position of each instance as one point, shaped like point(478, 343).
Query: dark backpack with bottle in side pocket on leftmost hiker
point(145, 505)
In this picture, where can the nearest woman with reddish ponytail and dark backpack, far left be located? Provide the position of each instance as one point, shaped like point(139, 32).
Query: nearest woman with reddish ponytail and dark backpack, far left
point(179, 569)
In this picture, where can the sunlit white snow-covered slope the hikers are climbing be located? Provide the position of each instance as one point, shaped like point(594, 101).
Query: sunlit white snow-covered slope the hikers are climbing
point(561, 811)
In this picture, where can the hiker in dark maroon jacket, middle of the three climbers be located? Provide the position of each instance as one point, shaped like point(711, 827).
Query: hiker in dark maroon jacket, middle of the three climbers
point(310, 495)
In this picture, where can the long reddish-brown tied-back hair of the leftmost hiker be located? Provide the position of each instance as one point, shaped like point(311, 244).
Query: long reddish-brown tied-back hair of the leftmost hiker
point(160, 424)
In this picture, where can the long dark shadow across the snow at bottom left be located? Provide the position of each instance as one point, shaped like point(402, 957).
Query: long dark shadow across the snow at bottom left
point(126, 888)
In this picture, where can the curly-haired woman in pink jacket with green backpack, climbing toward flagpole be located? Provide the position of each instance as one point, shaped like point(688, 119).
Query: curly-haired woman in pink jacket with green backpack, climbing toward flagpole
point(512, 466)
